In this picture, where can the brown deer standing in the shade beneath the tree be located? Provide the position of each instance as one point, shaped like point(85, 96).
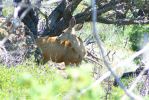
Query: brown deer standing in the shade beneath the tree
point(67, 47)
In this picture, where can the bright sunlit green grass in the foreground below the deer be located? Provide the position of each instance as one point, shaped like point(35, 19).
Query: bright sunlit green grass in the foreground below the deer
point(34, 82)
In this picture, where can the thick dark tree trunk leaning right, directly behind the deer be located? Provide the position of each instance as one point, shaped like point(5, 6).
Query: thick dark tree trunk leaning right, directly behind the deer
point(60, 17)
